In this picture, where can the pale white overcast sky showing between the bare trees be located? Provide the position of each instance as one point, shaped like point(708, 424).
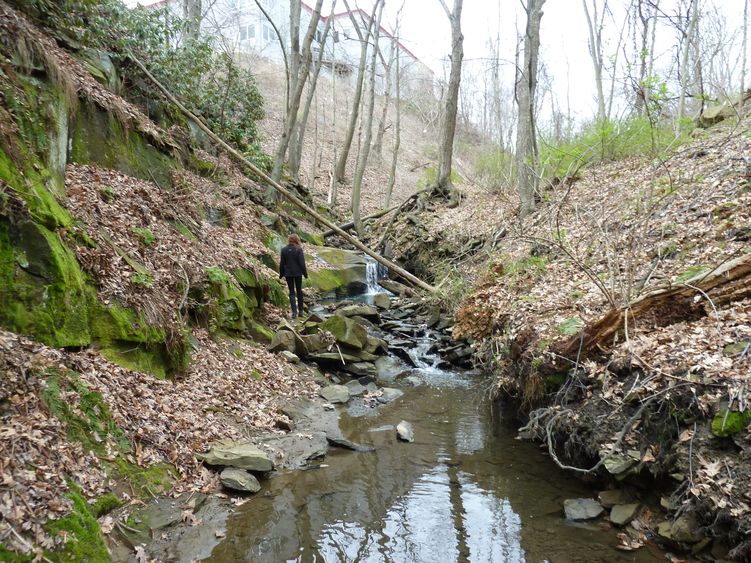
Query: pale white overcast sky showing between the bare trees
point(564, 46)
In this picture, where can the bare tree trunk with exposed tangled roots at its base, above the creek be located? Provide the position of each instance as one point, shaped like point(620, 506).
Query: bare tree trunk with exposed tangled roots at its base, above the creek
point(445, 156)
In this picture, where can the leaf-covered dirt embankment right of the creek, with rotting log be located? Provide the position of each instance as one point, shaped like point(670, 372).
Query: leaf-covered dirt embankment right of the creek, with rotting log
point(617, 321)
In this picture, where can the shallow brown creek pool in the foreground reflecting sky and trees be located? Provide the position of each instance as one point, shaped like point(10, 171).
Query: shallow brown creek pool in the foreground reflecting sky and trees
point(465, 490)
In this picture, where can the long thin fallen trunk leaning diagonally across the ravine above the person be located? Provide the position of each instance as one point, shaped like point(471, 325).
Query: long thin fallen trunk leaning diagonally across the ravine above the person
point(401, 272)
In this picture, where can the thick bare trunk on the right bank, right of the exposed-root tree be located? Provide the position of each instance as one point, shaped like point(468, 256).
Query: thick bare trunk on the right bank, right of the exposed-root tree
point(526, 84)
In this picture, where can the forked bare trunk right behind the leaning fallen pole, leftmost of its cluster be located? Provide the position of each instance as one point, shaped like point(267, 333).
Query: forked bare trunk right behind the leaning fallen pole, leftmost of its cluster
point(299, 66)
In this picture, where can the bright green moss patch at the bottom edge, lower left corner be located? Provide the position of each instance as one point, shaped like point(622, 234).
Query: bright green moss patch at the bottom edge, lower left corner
point(85, 539)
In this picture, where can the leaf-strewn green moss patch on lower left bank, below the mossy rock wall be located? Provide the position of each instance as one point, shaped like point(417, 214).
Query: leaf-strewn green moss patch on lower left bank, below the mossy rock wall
point(85, 415)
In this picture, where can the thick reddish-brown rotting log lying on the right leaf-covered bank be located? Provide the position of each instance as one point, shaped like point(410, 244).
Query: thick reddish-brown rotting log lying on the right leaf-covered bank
point(693, 299)
